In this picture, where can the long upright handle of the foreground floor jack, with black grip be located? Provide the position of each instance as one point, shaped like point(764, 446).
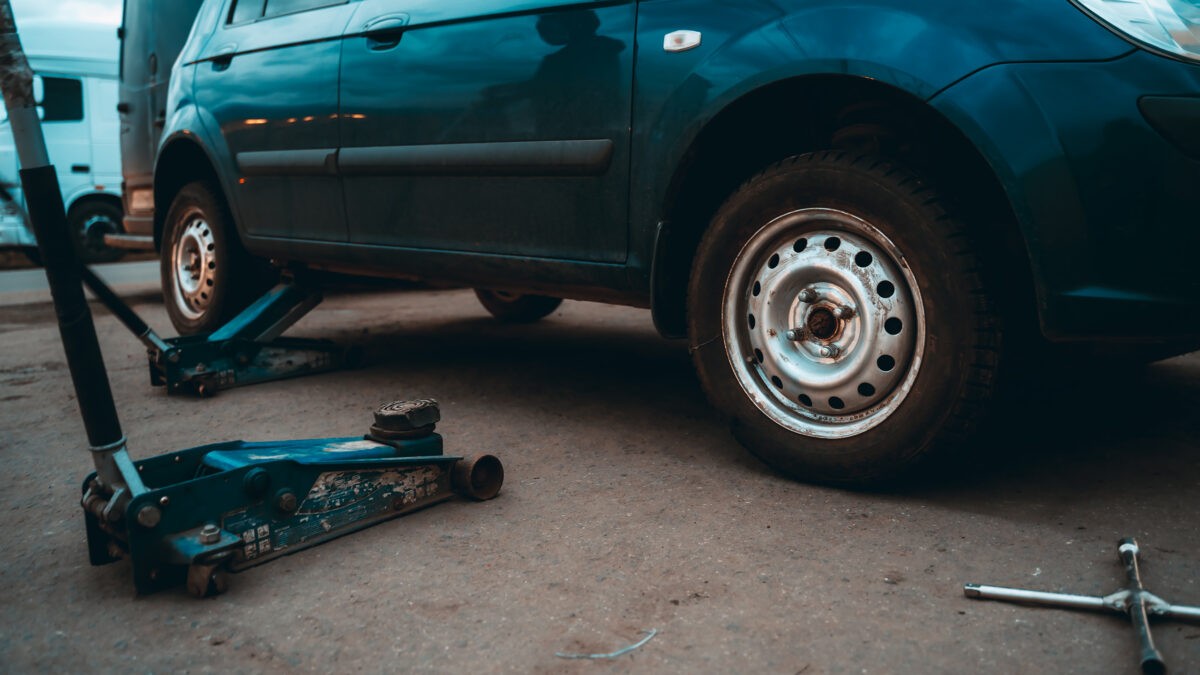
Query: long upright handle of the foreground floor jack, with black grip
point(63, 271)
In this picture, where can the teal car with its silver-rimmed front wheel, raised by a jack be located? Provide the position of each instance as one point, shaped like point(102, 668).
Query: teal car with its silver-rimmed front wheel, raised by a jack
point(569, 150)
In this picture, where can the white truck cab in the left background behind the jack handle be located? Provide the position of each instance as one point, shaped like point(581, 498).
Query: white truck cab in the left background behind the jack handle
point(76, 68)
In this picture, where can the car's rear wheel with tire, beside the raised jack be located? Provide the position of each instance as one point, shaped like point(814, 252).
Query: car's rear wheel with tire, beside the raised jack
point(207, 277)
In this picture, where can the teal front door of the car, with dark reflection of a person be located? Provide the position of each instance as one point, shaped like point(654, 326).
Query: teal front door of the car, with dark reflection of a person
point(487, 127)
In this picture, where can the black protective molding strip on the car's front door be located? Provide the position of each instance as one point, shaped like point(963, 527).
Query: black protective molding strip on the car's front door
point(525, 158)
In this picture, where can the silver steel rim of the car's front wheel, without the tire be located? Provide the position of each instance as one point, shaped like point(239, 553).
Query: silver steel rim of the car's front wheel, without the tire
point(823, 324)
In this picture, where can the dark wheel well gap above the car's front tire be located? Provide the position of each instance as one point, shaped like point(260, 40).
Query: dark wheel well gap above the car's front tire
point(819, 112)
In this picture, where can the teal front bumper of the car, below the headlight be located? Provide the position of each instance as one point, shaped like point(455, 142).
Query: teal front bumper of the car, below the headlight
point(1106, 182)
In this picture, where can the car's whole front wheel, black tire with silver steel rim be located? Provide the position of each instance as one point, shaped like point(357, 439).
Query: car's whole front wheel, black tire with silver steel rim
point(849, 248)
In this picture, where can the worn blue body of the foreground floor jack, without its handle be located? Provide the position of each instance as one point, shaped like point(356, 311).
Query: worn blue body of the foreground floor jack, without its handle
point(230, 506)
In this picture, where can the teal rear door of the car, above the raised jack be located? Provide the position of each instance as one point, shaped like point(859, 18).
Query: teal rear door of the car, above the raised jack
point(269, 77)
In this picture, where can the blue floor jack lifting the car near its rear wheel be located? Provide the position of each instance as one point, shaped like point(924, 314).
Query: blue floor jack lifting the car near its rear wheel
point(245, 351)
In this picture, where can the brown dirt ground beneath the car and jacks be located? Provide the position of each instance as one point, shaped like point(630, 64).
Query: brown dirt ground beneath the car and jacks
point(627, 509)
